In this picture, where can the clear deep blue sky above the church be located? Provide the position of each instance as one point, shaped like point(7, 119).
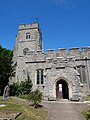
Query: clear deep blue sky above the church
point(64, 23)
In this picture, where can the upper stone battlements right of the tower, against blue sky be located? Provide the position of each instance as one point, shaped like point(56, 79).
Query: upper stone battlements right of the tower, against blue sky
point(62, 53)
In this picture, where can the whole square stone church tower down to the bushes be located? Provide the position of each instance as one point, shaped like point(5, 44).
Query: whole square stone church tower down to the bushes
point(28, 43)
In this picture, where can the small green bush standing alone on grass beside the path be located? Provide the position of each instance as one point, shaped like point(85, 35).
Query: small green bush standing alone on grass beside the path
point(35, 97)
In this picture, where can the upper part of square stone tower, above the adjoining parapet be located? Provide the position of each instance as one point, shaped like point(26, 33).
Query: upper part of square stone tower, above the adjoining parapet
point(29, 39)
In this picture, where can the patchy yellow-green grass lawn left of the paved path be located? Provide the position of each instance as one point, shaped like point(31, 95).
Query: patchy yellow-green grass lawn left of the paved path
point(28, 112)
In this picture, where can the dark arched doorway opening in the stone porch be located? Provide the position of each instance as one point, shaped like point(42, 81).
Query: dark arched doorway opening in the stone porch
point(62, 90)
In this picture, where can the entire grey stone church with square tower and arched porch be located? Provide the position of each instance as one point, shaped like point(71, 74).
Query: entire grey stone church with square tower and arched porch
point(58, 75)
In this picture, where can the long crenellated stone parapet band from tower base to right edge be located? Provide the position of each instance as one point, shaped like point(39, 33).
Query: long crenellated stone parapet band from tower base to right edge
point(56, 58)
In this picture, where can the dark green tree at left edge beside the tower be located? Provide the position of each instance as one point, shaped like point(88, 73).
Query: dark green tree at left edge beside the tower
point(6, 69)
